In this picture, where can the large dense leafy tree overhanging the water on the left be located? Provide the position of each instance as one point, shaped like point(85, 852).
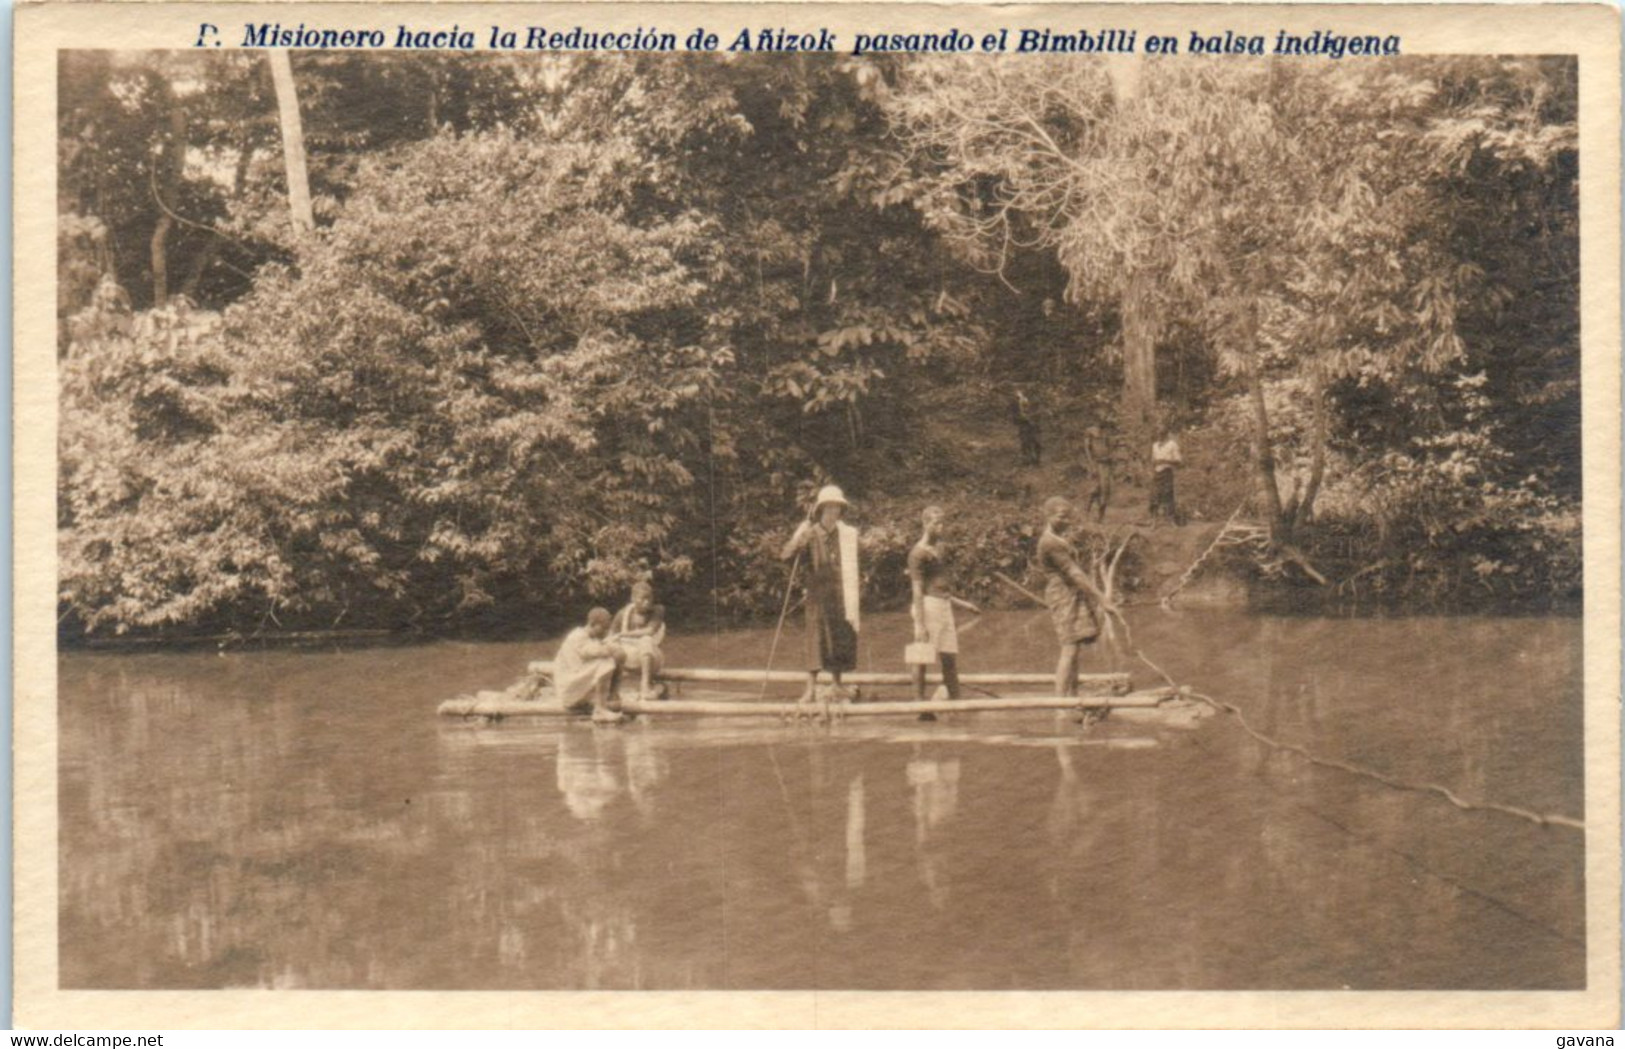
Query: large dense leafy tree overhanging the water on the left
point(505, 365)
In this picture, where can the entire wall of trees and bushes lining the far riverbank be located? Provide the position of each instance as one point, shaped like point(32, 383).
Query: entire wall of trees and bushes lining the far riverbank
point(412, 347)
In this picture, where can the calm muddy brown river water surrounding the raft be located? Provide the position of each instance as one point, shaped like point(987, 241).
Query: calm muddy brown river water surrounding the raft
point(298, 819)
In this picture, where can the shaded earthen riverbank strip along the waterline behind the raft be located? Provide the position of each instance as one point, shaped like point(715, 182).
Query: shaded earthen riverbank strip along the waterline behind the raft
point(958, 452)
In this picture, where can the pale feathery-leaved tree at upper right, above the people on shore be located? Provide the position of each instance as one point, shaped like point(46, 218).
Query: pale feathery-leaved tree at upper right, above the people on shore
point(1302, 220)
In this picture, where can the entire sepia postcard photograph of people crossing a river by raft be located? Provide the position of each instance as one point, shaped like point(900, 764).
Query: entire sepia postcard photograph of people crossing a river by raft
point(612, 512)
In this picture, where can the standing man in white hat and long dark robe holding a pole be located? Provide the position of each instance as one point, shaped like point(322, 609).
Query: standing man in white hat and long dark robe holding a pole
point(830, 548)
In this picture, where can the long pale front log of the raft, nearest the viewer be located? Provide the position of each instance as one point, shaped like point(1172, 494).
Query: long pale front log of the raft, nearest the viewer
point(503, 706)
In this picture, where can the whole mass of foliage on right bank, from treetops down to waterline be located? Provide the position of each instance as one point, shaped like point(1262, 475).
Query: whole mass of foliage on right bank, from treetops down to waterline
point(1382, 259)
